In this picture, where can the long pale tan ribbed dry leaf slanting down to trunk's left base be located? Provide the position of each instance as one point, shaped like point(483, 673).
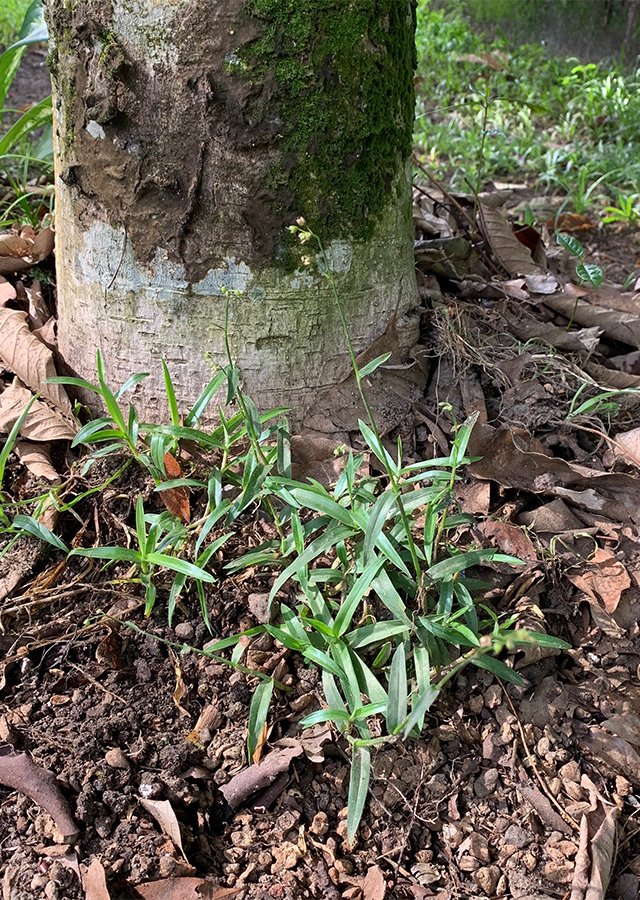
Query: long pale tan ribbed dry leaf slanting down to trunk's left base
point(32, 362)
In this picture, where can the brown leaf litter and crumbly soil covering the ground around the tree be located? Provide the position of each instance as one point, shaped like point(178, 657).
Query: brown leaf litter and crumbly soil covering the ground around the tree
point(516, 792)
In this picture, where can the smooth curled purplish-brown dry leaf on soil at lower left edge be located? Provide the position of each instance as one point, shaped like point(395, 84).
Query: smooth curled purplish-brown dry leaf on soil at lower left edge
point(19, 772)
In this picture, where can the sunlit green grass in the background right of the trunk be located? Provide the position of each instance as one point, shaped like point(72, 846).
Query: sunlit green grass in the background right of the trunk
point(575, 126)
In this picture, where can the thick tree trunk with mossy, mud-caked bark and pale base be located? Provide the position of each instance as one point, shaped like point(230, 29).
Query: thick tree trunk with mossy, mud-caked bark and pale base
point(188, 136)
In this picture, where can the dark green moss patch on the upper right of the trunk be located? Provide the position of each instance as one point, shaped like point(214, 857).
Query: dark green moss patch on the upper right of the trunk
point(340, 77)
